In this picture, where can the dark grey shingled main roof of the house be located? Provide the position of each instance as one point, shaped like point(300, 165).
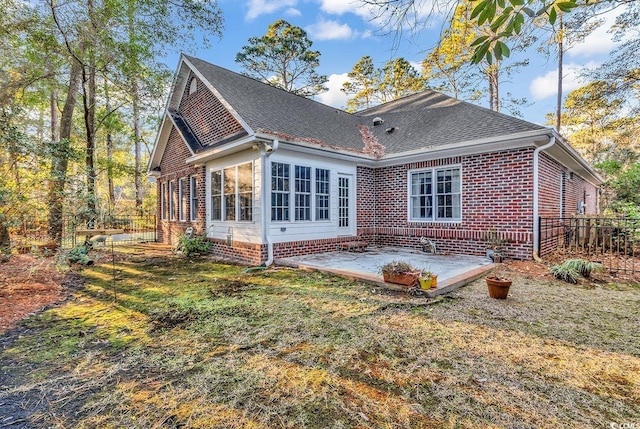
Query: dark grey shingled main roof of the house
point(421, 121)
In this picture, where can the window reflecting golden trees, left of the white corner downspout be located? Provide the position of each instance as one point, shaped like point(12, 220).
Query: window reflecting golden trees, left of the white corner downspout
point(232, 193)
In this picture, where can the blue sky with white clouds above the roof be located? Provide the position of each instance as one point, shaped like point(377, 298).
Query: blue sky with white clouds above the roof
point(344, 32)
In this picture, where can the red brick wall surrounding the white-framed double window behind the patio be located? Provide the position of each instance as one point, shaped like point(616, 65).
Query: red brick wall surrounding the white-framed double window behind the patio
point(496, 194)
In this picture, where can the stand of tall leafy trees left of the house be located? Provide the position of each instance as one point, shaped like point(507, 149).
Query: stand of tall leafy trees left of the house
point(98, 79)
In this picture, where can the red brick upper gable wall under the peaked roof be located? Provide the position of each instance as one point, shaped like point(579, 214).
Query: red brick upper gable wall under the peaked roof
point(208, 118)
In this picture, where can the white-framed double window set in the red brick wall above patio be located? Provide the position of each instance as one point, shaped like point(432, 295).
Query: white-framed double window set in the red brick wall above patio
point(435, 195)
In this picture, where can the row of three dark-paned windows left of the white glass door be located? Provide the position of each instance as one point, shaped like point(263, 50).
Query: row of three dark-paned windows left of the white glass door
point(306, 194)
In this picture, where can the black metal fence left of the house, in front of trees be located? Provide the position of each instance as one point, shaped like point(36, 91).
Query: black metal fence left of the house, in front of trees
point(32, 232)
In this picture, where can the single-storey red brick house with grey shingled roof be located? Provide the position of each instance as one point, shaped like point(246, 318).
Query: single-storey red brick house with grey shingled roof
point(267, 174)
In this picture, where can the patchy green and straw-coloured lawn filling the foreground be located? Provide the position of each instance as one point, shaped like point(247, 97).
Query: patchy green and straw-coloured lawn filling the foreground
point(202, 344)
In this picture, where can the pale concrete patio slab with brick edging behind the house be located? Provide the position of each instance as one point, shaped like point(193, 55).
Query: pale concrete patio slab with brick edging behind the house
point(454, 271)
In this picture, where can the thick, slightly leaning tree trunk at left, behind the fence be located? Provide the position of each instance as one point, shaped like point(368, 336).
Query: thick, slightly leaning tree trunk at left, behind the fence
point(60, 154)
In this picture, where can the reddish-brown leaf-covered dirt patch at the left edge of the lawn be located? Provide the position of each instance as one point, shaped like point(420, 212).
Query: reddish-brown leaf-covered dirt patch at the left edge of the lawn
point(27, 284)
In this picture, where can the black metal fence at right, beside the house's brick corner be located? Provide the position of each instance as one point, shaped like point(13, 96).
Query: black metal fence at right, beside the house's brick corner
point(614, 242)
